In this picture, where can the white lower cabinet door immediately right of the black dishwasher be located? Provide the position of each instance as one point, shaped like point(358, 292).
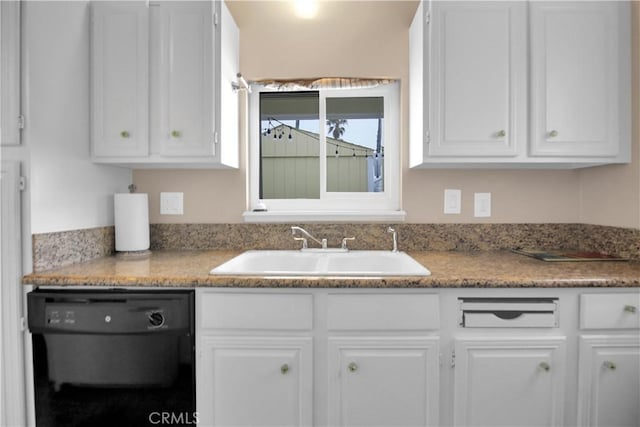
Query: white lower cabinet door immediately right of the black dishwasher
point(250, 381)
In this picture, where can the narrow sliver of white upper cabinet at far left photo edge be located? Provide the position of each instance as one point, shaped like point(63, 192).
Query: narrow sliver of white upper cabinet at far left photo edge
point(10, 118)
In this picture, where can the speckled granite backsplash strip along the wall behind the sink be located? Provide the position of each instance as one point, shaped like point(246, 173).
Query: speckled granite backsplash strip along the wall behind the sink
point(52, 250)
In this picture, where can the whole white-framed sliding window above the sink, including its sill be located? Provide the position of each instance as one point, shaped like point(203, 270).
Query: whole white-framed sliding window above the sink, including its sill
point(324, 154)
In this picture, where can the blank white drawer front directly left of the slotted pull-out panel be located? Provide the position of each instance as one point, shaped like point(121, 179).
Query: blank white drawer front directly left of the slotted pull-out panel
point(383, 312)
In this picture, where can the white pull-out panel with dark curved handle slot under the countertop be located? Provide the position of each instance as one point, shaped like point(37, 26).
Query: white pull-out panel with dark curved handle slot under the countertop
point(508, 312)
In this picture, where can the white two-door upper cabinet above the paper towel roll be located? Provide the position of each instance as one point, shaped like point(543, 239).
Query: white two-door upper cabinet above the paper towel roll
point(161, 73)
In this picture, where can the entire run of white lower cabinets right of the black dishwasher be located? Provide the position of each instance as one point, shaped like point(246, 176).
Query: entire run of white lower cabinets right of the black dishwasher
point(400, 357)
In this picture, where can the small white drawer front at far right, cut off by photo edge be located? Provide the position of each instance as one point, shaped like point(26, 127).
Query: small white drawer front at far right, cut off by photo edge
point(610, 311)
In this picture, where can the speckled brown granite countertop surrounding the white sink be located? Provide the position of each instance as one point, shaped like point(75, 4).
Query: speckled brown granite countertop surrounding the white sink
point(449, 269)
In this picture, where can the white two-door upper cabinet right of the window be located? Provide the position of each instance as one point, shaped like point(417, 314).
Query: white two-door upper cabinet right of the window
point(511, 84)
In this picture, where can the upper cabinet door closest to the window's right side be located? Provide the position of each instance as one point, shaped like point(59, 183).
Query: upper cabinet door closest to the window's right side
point(477, 78)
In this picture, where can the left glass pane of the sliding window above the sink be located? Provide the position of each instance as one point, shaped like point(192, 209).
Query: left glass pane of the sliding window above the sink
point(289, 149)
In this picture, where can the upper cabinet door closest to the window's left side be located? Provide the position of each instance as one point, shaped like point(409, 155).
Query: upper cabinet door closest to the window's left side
point(185, 34)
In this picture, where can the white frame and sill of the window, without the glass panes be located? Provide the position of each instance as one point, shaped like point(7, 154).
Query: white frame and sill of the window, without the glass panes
point(351, 206)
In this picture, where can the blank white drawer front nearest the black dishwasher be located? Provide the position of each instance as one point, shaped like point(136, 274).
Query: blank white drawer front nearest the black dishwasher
point(255, 311)
